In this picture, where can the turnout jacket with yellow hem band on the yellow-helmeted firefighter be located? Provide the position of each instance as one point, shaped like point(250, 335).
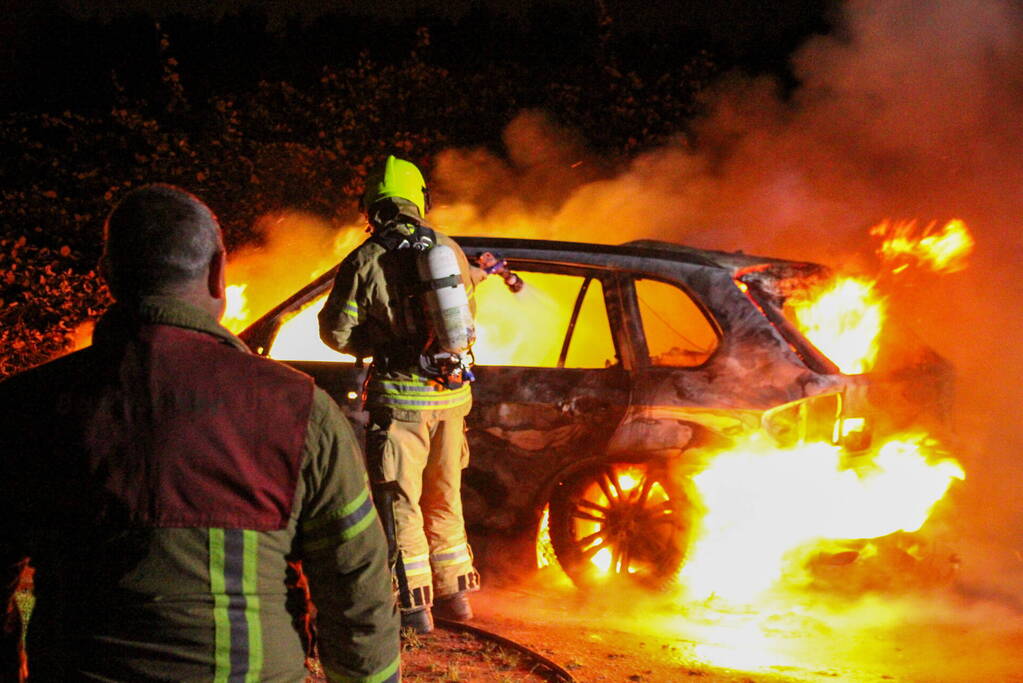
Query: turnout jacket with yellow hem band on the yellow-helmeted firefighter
point(369, 313)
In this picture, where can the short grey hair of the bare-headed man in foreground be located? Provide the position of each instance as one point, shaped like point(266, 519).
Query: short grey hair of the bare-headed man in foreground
point(158, 239)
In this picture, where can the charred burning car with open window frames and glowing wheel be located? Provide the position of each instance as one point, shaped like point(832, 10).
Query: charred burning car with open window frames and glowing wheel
point(601, 385)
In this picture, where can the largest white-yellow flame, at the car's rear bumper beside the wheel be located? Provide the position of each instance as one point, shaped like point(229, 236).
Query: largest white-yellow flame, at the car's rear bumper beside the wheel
point(765, 506)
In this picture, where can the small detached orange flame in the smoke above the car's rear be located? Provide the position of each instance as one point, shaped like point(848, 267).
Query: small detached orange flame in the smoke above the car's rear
point(943, 251)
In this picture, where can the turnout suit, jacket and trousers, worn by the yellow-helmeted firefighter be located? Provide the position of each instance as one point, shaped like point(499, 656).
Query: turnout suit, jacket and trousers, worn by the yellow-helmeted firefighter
point(417, 436)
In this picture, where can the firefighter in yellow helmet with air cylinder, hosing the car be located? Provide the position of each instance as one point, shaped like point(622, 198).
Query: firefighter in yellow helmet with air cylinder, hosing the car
point(418, 391)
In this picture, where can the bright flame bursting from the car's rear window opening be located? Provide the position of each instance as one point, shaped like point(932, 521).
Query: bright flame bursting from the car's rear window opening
point(844, 322)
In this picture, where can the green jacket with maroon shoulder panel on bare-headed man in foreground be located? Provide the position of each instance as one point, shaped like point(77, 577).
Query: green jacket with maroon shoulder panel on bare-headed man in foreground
point(161, 481)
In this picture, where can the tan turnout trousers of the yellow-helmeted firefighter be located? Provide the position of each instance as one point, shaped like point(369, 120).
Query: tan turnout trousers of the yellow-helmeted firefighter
point(425, 458)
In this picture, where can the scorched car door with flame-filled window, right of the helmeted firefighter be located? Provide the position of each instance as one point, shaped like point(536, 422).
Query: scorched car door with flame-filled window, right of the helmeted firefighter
point(551, 387)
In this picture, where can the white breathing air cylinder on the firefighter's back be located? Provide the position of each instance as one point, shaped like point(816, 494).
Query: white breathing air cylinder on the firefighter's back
point(447, 301)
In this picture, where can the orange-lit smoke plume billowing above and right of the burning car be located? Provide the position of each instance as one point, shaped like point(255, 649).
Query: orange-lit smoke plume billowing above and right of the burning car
point(912, 110)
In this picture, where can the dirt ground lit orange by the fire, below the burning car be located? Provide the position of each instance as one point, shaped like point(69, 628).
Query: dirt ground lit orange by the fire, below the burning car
point(650, 640)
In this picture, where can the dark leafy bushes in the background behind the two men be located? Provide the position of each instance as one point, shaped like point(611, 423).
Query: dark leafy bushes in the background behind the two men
point(274, 147)
